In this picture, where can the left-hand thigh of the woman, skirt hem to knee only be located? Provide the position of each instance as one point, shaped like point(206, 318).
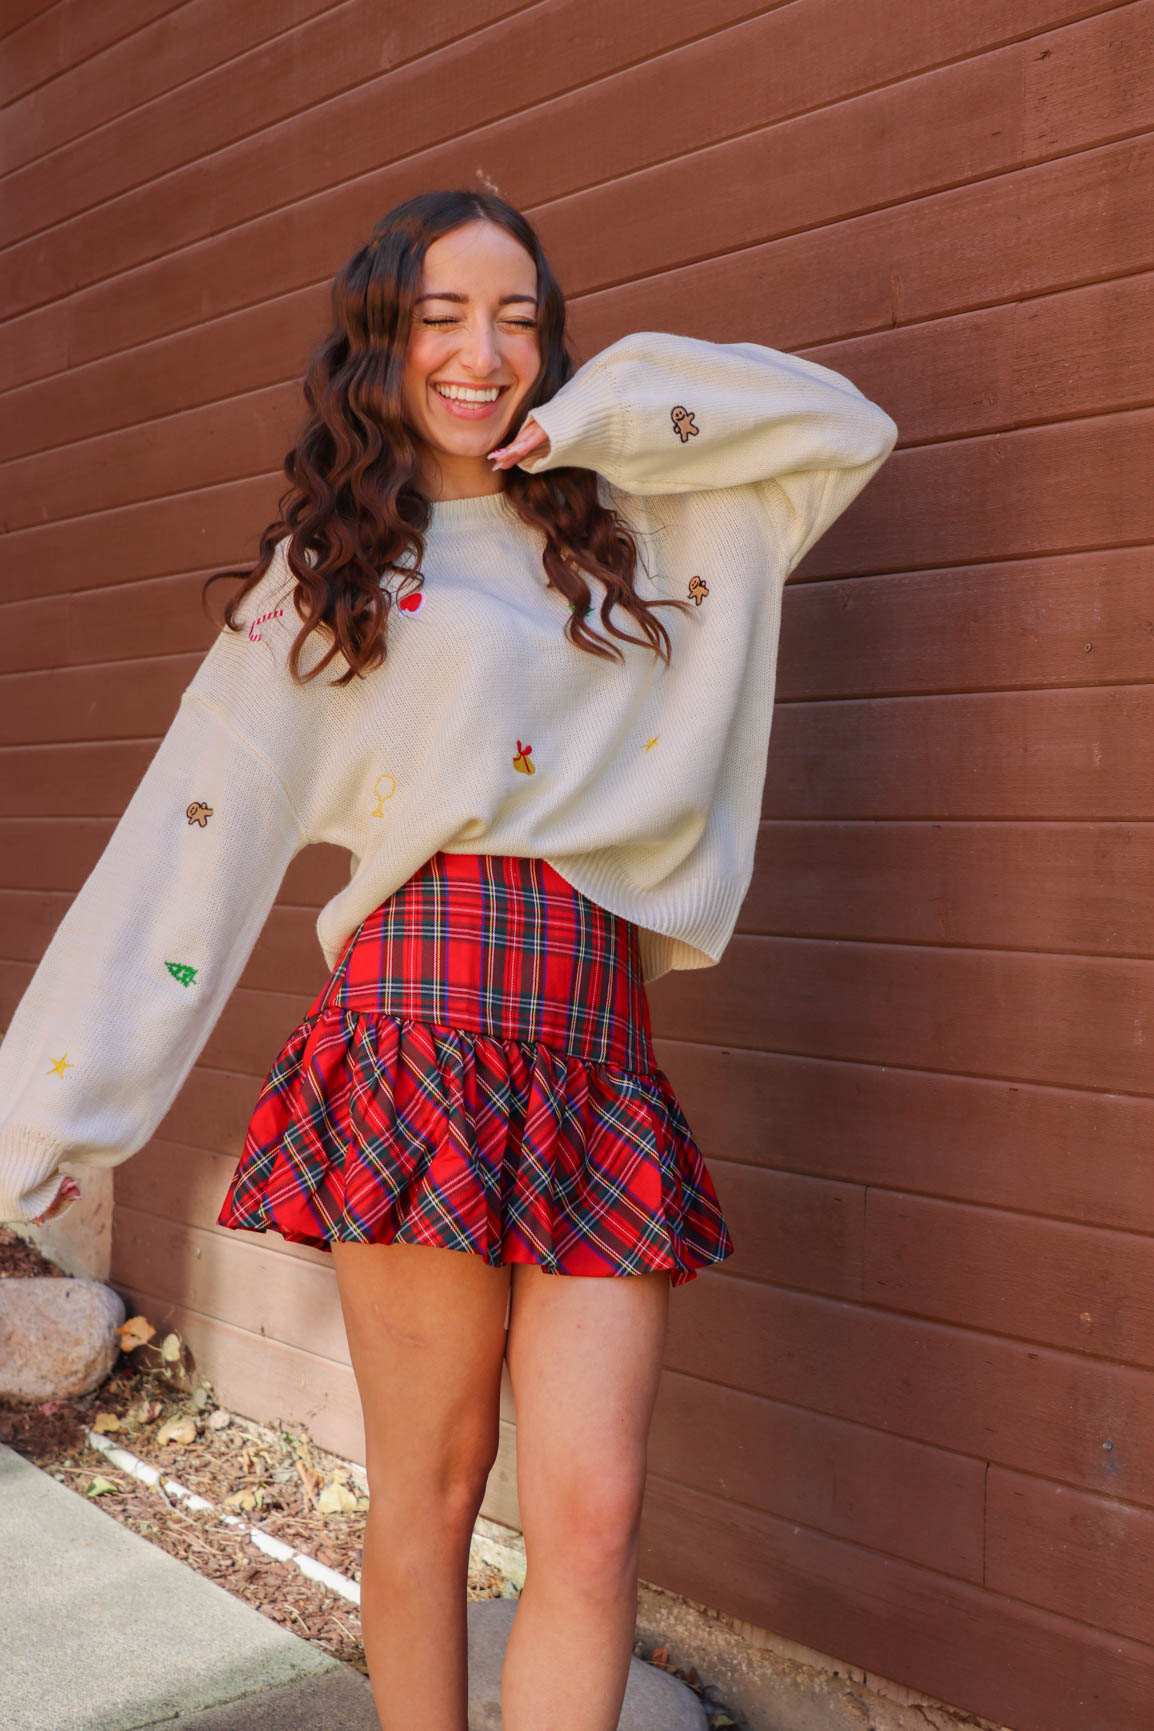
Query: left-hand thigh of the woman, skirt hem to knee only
point(426, 1334)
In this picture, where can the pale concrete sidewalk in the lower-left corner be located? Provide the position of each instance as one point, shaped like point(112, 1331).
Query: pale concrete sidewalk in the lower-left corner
point(103, 1631)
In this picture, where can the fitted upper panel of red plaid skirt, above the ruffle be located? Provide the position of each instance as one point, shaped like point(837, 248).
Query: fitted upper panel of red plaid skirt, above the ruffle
point(503, 946)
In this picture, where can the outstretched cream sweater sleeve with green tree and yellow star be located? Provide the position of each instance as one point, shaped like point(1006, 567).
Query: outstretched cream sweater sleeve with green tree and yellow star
point(148, 953)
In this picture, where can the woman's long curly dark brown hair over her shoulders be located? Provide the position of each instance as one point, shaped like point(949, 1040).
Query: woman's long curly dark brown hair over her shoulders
point(354, 508)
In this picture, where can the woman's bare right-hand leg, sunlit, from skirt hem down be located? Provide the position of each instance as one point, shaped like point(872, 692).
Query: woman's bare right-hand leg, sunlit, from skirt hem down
point(586, 1363)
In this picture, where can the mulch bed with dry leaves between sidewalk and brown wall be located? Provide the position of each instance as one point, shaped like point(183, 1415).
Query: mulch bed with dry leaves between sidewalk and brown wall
point(278, 1479)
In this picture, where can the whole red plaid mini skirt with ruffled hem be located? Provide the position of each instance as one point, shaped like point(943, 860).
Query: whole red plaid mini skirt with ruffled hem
point(477, 1074)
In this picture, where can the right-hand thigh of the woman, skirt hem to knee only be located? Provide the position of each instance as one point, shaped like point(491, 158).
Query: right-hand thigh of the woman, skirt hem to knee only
point(586, 1363)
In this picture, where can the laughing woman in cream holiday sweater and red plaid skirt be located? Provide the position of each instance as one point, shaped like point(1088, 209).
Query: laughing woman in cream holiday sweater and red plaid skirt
point(541, 820)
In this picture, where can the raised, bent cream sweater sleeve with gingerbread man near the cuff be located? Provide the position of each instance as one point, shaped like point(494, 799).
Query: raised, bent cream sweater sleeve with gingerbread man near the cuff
point(669, 415)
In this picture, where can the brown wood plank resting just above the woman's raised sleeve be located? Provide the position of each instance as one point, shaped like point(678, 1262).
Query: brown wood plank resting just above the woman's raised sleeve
point(1058, 226)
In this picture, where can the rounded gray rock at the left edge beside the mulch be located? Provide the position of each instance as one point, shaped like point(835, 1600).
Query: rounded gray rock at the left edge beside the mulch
point(58, 1337)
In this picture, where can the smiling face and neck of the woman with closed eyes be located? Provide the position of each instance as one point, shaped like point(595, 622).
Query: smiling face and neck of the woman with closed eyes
point(471, 359)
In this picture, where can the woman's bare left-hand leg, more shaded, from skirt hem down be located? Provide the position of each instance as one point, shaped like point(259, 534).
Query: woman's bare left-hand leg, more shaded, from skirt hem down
point(426, 1339)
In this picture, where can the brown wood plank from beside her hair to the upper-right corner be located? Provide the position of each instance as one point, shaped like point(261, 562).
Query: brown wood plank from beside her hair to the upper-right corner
point(779, 181)
